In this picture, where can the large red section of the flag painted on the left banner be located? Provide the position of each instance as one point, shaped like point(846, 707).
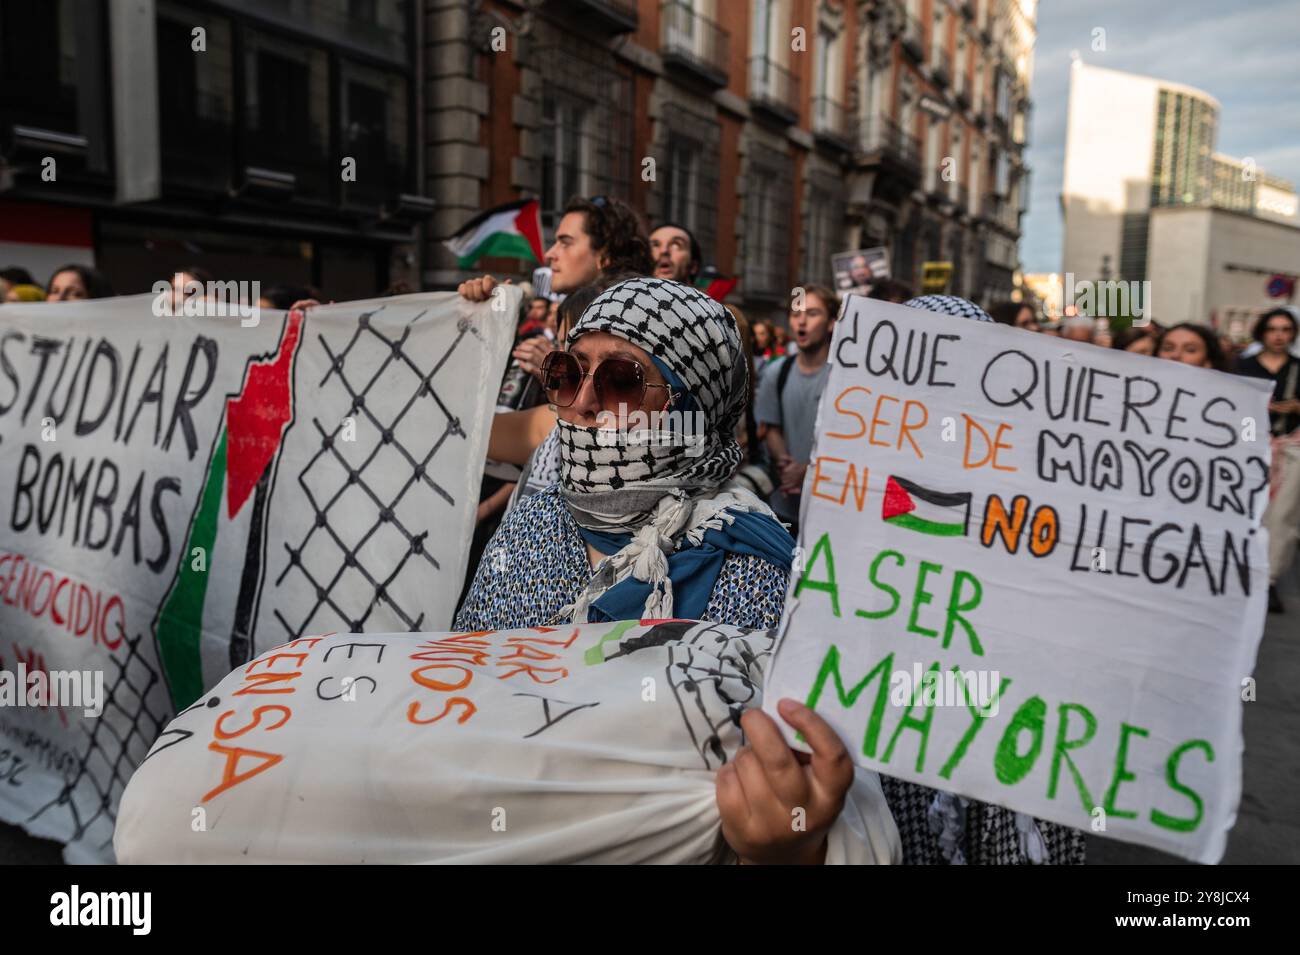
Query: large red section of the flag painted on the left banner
point(258, 418)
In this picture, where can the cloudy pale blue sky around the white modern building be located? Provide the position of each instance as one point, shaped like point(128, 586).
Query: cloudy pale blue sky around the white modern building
point(1243, 53)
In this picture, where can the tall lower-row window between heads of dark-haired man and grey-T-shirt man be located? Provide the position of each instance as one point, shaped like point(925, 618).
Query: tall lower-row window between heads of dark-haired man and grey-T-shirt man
point(768, 224)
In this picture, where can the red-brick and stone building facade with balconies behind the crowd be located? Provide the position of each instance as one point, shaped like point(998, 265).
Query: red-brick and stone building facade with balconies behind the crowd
point(779, 132)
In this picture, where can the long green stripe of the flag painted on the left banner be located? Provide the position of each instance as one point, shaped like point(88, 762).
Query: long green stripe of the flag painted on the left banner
point(181, 620)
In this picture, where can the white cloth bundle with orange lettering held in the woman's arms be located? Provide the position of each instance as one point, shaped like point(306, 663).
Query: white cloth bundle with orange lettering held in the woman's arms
point(597, 743)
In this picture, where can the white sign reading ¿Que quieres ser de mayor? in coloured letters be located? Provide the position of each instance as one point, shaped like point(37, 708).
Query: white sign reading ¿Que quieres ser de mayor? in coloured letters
point(1033, 574)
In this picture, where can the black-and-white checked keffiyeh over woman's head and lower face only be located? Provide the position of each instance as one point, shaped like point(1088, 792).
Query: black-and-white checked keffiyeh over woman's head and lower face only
point(613, 487)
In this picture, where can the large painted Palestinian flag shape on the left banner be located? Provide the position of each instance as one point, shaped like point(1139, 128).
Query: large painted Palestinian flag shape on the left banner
point(205, 624)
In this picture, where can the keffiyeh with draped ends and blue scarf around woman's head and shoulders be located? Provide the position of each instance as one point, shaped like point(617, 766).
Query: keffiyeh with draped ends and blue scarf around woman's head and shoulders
point(664, 513)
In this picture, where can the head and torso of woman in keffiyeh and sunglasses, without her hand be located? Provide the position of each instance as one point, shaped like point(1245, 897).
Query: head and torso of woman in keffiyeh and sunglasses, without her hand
point(652, 527)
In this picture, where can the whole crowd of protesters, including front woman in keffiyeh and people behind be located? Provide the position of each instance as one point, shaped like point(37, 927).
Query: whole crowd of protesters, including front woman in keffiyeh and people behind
point(570, 529)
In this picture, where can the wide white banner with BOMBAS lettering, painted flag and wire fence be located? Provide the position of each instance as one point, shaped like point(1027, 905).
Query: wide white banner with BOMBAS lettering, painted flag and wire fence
point(179, 494)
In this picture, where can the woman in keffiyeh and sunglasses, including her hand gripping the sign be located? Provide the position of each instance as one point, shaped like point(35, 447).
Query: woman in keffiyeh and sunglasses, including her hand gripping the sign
point(656, 529)
